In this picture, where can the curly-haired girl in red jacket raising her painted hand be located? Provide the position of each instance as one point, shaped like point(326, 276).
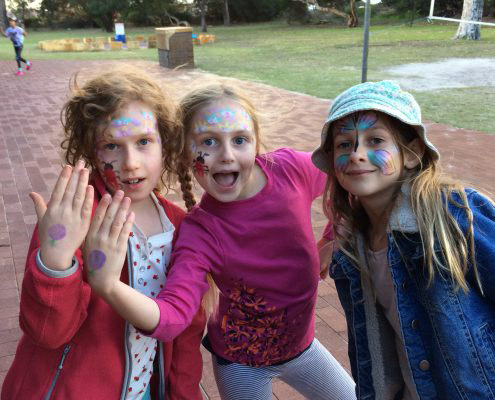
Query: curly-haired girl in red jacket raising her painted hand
point(75, 345)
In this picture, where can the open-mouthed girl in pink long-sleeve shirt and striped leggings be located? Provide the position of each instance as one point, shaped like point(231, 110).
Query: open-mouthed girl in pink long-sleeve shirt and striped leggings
point(252, 232)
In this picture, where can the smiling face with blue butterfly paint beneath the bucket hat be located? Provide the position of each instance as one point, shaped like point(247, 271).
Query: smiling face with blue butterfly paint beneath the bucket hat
point(366, 157)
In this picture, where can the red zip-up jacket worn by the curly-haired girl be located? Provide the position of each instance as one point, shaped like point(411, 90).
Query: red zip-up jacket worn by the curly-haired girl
point(74, 343)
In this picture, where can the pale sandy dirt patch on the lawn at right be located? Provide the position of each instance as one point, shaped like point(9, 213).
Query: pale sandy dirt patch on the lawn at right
point(450, 73)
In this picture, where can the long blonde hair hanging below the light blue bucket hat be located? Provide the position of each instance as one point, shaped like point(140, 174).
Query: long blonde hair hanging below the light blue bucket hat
point(431, 192)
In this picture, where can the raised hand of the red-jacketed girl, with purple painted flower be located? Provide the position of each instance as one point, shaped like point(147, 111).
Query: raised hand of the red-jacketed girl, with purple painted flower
point(63, 224)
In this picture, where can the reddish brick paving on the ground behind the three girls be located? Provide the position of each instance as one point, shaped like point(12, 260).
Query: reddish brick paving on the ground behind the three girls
point(30, 134)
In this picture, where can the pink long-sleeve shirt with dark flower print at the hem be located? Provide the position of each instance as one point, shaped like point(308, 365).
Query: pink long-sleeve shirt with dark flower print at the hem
point(262, 255)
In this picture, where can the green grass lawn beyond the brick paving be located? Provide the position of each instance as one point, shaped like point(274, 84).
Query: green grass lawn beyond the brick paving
point(321, 60)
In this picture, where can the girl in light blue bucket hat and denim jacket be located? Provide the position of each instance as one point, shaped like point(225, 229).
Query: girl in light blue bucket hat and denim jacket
point(414, 270)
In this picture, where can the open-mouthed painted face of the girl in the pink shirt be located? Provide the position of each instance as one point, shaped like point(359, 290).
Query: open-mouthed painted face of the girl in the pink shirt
point(223, 150)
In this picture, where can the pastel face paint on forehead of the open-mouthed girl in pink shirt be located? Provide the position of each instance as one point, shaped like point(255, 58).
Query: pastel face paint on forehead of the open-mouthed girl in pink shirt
point(223, 119)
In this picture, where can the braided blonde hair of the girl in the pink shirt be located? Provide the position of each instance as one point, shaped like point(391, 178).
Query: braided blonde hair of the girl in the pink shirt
point(189, 106)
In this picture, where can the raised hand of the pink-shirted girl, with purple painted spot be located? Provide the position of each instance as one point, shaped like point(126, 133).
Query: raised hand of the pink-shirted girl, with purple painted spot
point(105, 247)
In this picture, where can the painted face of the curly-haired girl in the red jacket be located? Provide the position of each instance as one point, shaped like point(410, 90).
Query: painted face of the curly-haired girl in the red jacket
point(129, 152)
